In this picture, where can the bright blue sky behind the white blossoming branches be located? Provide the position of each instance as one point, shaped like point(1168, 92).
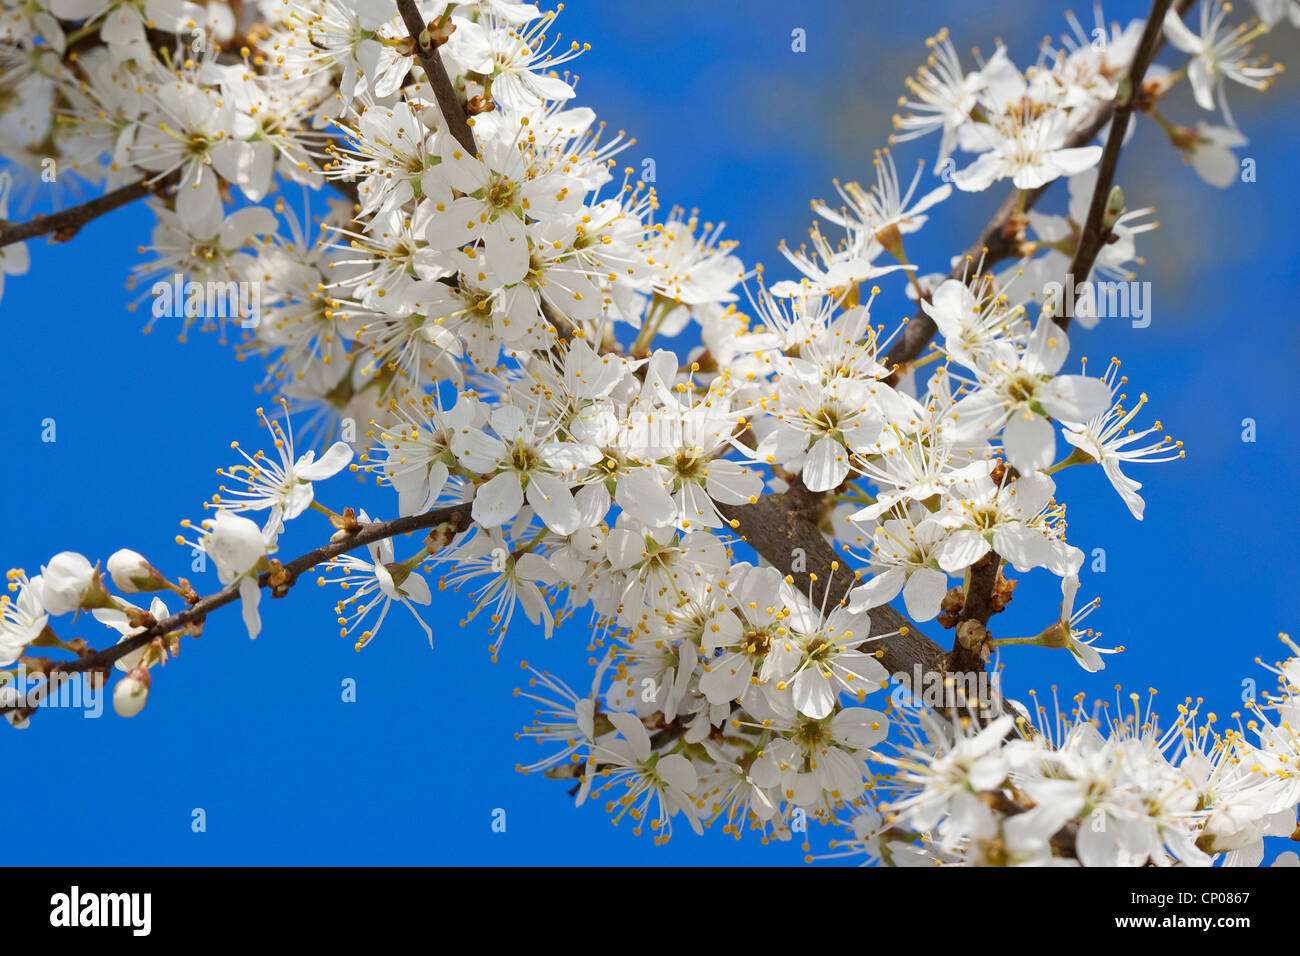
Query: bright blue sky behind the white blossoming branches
point(257, 734)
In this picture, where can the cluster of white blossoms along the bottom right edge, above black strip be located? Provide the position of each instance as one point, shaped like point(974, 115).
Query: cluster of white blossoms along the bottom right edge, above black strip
point(1086, 788)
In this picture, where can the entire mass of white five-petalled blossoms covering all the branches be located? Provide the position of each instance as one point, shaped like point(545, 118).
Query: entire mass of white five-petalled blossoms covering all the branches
point(517, 328)
